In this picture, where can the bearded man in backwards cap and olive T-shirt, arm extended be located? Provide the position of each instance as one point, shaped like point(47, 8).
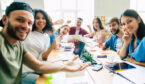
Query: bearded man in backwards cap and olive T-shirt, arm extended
point(17, 23)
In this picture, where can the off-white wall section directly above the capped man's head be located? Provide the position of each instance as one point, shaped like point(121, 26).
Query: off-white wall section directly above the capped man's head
point(35, 4)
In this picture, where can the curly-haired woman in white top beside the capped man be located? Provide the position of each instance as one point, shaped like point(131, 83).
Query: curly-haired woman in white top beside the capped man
point(38, 44)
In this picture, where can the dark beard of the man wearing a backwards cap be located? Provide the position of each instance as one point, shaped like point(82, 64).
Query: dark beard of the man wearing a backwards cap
point(12, 31)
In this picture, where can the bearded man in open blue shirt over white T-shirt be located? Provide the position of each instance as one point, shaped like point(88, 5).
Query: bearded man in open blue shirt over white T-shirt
point(115, 42)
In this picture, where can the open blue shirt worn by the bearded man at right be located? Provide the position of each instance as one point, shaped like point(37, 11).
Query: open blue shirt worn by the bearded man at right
point(111, 43)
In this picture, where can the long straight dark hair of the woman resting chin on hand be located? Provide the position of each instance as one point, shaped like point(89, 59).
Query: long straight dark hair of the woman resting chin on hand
point(132, 13)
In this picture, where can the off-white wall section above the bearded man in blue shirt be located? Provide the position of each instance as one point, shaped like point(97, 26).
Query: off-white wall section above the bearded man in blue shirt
point(110, 8)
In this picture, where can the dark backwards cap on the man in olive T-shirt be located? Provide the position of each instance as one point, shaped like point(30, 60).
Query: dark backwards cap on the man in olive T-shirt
point(18, 6)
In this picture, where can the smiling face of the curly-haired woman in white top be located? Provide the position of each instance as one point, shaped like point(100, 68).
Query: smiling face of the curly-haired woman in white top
point(40, 22)
